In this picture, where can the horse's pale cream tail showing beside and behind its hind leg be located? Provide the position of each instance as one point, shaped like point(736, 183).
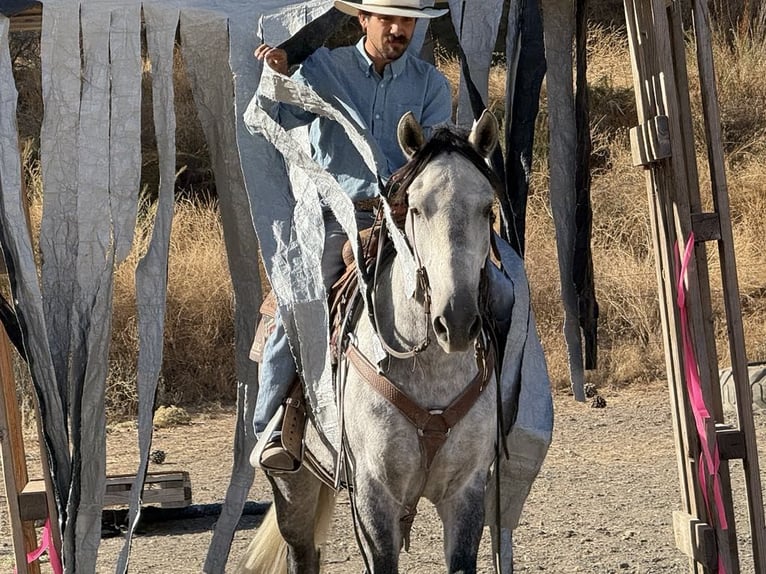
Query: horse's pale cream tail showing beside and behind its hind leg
point(267, 553)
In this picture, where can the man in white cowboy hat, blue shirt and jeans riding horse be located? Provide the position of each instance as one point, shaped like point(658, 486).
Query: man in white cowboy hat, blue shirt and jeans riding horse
point(378, 80)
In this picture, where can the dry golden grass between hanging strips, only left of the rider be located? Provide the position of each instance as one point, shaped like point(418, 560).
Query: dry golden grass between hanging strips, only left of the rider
point(198, 354)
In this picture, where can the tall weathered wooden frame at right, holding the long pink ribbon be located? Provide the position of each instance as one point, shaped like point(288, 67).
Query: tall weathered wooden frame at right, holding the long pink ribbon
point(664, 145)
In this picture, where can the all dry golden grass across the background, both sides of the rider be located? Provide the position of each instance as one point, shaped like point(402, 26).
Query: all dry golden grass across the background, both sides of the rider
point(198, 364)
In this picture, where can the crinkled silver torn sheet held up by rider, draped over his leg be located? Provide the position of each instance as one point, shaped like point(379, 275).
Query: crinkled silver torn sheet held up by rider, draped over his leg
point(294, 266)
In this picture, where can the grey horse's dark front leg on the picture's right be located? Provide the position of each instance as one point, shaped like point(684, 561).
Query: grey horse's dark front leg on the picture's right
point(463, 518)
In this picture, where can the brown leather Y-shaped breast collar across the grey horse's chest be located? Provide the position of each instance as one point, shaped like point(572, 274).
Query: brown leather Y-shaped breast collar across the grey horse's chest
point(433, 425)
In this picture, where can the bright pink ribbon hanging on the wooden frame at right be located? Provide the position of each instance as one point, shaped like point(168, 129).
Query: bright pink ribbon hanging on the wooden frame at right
point(710, 455)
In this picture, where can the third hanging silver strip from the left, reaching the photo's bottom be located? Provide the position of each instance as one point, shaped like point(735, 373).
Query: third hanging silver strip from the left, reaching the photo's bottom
point(91, 312)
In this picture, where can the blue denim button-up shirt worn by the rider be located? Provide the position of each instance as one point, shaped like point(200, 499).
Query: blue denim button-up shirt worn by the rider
point(346, 78)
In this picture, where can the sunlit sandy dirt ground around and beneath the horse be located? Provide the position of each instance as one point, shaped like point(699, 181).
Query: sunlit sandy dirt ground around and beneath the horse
point(602, 503)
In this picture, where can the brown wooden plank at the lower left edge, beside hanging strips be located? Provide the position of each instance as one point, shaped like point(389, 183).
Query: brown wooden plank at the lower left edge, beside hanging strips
point(14, 461)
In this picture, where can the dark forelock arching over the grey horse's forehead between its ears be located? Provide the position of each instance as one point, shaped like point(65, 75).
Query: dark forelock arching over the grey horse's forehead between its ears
point(444, 140)
